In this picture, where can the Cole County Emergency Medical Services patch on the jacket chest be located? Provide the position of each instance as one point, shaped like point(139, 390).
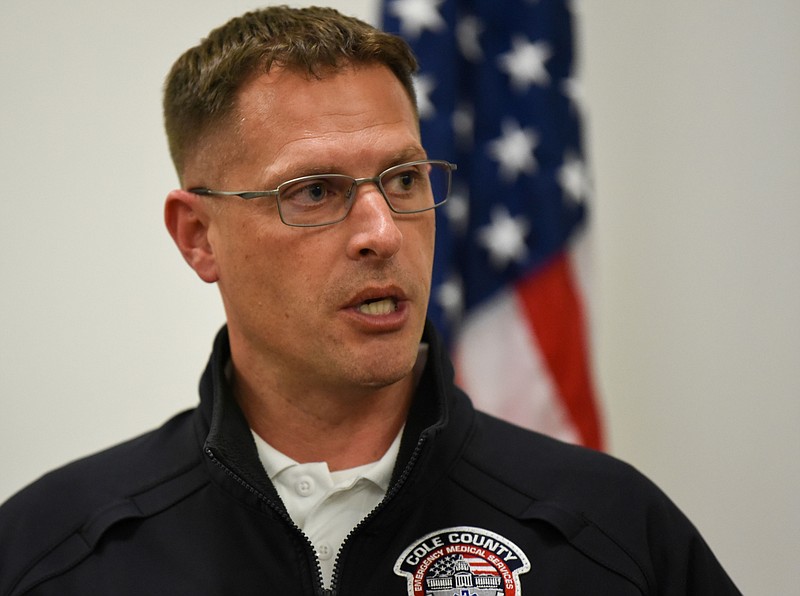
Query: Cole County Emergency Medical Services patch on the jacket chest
point(463, 561)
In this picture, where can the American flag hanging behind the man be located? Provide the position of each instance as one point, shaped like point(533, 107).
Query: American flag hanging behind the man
point(497, 96)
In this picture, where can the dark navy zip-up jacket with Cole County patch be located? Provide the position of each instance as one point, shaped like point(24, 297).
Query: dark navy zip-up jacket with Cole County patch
point(476, 506)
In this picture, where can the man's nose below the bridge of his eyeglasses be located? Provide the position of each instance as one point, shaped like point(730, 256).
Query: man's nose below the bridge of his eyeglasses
point(374, 231)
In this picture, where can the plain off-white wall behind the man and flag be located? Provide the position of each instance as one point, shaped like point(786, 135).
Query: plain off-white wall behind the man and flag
point(694, 136)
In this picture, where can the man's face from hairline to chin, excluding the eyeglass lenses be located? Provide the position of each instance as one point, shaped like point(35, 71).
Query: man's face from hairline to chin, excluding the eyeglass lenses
point(294, 297)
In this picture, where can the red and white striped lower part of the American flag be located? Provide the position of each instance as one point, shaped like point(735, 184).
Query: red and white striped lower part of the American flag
point(523, 357)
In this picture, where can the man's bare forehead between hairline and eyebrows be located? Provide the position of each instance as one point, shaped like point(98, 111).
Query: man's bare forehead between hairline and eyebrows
point(357, 114)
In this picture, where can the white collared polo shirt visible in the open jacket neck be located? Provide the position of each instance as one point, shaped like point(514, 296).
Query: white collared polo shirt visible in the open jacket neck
point(327, 505)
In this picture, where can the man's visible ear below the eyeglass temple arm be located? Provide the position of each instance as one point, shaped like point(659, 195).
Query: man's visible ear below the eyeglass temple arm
point(188, 220)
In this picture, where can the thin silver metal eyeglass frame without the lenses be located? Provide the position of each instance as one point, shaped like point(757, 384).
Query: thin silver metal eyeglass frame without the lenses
point(447, 166)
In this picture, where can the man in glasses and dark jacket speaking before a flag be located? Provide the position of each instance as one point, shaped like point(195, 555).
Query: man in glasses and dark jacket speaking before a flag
point(331, 452)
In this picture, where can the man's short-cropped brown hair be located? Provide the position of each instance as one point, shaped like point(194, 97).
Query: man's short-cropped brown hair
point(200, 90)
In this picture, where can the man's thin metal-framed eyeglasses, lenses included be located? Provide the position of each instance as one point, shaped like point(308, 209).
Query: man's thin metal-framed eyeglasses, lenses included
point(311, 201)
